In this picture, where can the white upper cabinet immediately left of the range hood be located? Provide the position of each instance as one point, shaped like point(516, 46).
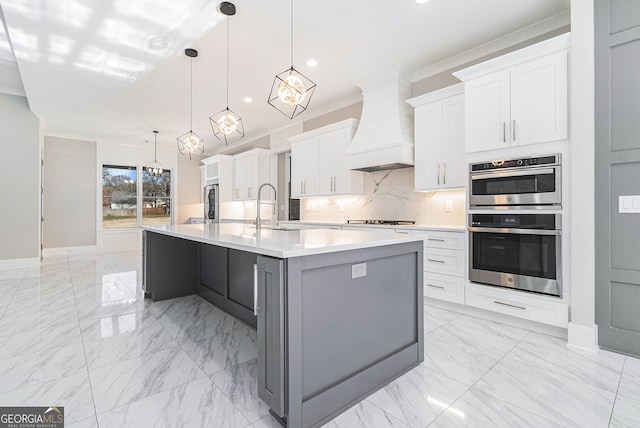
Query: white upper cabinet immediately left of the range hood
point(317, 162)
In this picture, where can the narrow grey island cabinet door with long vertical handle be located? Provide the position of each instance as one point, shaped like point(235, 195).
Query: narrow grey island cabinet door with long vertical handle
point(270, 329)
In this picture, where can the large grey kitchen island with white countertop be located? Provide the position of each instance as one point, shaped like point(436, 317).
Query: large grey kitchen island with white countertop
point(339, 314)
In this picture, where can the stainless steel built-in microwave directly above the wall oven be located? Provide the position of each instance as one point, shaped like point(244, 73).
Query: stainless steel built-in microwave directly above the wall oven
point(533, 182)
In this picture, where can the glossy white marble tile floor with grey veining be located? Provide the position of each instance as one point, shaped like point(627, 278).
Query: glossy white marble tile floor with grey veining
point(78, 333)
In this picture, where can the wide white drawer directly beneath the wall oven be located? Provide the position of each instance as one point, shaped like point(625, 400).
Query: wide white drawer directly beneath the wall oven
point(517, 304)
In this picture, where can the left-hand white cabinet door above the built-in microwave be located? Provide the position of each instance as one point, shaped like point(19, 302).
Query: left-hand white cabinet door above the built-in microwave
point(487, 112)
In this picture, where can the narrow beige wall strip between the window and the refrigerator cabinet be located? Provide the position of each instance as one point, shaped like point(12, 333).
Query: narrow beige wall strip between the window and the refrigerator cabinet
point(189, 189)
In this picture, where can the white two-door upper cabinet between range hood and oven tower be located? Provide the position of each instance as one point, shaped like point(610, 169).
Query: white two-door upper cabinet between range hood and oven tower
point(439, 139)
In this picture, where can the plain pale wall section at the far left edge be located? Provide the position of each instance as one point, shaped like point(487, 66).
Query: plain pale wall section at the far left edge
point(20, 179)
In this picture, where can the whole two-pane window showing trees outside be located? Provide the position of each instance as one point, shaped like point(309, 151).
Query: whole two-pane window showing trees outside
point(124, 205)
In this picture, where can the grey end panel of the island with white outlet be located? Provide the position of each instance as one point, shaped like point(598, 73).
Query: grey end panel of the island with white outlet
point(348, 336)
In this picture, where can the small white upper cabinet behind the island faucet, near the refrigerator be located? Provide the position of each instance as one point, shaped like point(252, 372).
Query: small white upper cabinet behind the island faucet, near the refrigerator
point(250, 170)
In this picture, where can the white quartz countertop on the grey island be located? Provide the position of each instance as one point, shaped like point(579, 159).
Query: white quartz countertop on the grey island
point(282, 243)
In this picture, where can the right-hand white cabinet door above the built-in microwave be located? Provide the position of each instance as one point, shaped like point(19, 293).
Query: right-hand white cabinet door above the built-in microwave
point(539, 100)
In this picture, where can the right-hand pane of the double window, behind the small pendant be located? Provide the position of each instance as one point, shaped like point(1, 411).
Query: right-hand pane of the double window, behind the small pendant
point(156, 203)
